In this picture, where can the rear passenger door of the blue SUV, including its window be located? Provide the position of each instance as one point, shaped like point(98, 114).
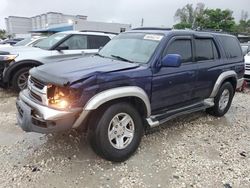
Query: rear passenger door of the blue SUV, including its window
point(208, 59)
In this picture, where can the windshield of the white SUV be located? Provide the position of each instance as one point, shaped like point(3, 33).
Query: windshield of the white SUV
point(49, 42)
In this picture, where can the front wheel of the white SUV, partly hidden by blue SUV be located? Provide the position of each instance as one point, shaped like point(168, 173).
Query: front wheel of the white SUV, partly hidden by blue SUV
point(18, 77)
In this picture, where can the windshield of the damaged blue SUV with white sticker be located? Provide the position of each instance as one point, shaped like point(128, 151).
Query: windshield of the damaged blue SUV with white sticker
point(132, 47)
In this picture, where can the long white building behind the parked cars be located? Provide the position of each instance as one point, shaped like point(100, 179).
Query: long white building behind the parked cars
point(54, 21)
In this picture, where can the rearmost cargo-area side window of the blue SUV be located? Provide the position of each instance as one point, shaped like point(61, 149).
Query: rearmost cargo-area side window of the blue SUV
point(231, 46)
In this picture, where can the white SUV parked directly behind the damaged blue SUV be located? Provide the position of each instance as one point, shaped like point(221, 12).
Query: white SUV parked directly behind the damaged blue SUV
point(15, 63)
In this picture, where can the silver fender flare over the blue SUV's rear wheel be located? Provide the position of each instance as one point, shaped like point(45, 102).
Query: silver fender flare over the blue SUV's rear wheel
point(220, 80)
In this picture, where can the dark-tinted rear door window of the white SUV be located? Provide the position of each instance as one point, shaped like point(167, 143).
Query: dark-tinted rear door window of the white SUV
point(95, 42)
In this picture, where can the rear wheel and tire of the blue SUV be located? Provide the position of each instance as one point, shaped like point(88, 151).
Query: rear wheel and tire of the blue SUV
point(221, 106)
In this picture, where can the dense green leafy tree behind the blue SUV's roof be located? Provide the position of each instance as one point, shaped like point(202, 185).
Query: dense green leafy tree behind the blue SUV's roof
point(217, 19)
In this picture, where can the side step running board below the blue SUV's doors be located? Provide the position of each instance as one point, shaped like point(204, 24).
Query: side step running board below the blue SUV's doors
point(158, 119)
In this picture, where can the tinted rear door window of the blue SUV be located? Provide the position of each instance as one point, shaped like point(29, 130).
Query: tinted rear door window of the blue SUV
point(205, 50)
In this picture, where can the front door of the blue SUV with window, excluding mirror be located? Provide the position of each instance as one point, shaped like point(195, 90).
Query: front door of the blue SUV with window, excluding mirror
point(173, 86)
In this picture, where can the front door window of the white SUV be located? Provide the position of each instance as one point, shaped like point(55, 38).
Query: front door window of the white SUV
point(76, 42)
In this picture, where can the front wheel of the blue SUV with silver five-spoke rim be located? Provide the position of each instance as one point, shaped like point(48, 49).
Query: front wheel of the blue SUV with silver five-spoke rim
point(112, 139)
